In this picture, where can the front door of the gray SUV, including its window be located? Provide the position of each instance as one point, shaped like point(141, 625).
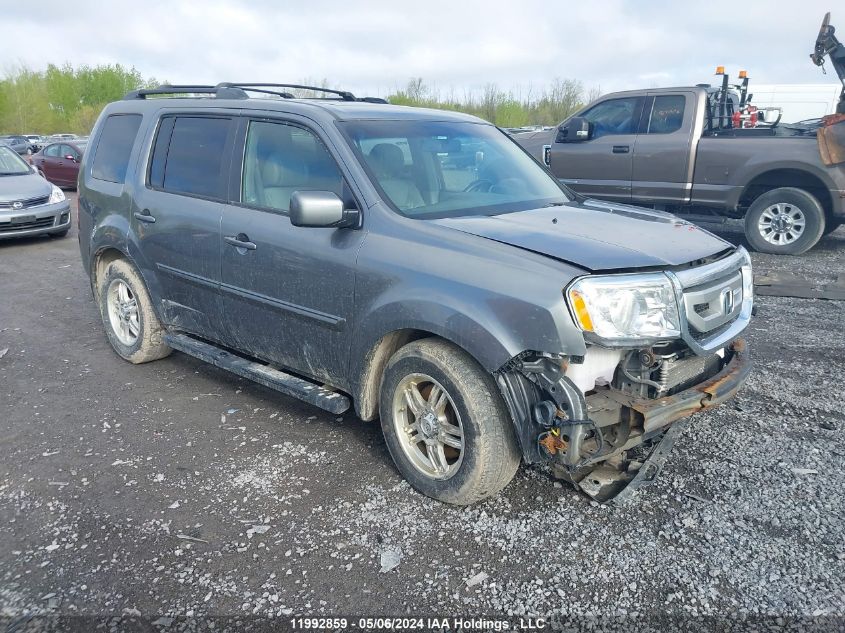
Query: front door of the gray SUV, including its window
point(288, 291)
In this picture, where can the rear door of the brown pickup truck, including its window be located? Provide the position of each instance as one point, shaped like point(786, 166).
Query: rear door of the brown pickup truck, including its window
point(664, 148)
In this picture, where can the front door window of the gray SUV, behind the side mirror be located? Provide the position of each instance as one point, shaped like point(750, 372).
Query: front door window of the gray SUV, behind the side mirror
point(279, 159)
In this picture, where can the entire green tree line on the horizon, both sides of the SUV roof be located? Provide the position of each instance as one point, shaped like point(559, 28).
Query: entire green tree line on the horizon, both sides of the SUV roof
point(67, 99)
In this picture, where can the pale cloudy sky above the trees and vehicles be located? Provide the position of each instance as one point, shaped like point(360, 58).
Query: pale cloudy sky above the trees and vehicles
point(372, 47)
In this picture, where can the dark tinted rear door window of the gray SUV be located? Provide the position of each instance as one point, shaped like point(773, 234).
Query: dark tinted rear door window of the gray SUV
point(189, 156)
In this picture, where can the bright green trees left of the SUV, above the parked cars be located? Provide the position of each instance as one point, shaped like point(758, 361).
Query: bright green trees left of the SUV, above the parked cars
point(61, 98)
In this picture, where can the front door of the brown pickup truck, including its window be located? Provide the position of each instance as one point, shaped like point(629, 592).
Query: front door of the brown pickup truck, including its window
point(601, 167)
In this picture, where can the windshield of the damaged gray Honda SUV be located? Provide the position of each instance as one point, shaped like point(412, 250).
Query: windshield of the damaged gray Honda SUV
point(443, 169)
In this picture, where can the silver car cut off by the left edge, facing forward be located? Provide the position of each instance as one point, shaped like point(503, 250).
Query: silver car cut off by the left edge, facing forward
point(29, 205)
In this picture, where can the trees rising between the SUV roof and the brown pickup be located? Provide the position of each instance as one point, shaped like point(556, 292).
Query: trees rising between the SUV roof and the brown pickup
point(549, 106)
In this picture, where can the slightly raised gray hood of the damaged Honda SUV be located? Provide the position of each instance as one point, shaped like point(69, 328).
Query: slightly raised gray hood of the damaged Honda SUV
point(597, 235)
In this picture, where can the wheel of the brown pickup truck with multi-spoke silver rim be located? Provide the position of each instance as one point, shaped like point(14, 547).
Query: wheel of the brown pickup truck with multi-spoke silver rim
point(785, 221)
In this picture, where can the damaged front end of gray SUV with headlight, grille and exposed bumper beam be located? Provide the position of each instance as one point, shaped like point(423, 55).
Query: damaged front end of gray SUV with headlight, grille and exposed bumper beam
point(661, 346)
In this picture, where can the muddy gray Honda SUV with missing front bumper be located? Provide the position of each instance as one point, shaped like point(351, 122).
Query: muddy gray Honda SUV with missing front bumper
point(417, 265)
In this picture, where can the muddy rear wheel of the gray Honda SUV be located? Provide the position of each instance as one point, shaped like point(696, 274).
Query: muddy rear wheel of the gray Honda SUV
point(132, 327)
